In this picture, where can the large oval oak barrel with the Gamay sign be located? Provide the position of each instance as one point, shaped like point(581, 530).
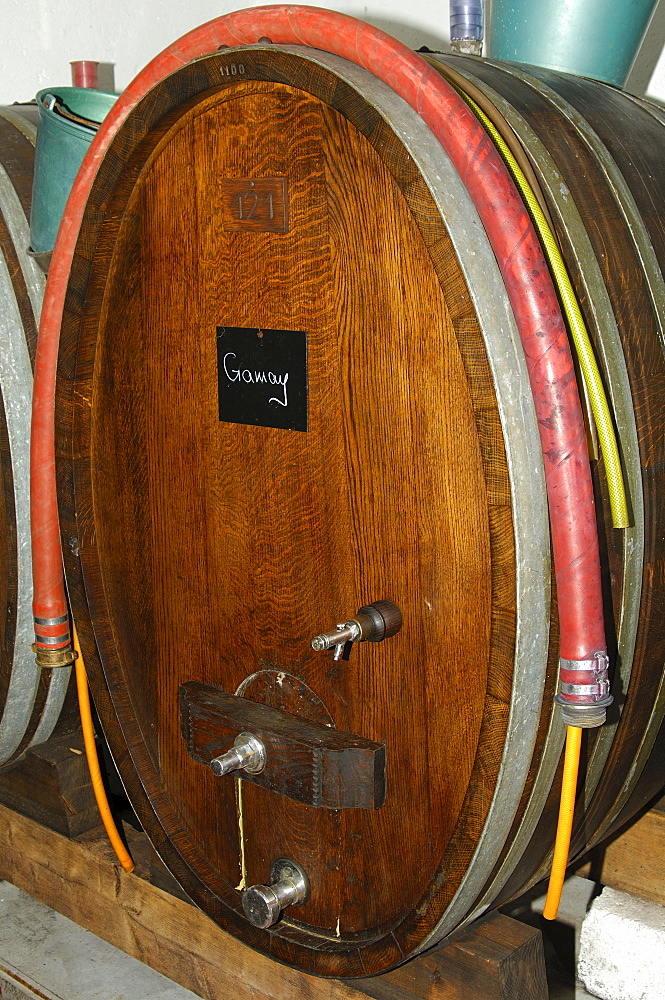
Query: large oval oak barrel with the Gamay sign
point(290, 387)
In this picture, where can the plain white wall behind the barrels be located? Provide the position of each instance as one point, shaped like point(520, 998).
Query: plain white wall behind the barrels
point(40, 37)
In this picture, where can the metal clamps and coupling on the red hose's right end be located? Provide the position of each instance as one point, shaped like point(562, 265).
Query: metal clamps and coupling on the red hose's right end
point(584, 691)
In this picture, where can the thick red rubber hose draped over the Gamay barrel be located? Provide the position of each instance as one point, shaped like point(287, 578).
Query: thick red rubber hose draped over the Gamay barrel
point(524, 270)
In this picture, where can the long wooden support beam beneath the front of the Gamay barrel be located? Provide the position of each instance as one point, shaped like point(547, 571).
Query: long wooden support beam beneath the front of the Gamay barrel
point(499, 959)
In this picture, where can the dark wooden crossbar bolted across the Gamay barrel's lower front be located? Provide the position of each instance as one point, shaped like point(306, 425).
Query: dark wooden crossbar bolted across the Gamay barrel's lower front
point(304, 760)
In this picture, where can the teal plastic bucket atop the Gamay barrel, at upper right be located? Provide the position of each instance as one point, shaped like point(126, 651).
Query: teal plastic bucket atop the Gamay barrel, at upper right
point(594, 38)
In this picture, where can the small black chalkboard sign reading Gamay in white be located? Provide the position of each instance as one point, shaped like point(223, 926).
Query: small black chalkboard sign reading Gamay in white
point(262, 377)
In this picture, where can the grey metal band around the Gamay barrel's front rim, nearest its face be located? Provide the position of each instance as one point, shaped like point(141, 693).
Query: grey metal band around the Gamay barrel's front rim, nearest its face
point(505, 357)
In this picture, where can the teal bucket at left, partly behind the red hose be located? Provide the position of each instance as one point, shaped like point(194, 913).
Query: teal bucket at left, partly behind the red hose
point(60, 148)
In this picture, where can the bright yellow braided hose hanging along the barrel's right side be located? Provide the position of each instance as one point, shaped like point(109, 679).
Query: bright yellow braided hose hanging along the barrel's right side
point(578, 331)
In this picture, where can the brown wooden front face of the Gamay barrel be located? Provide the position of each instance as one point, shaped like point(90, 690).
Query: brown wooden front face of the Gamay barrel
point(210, 551)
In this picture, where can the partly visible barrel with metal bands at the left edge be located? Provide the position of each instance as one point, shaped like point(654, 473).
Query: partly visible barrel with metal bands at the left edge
point(30, 699)
